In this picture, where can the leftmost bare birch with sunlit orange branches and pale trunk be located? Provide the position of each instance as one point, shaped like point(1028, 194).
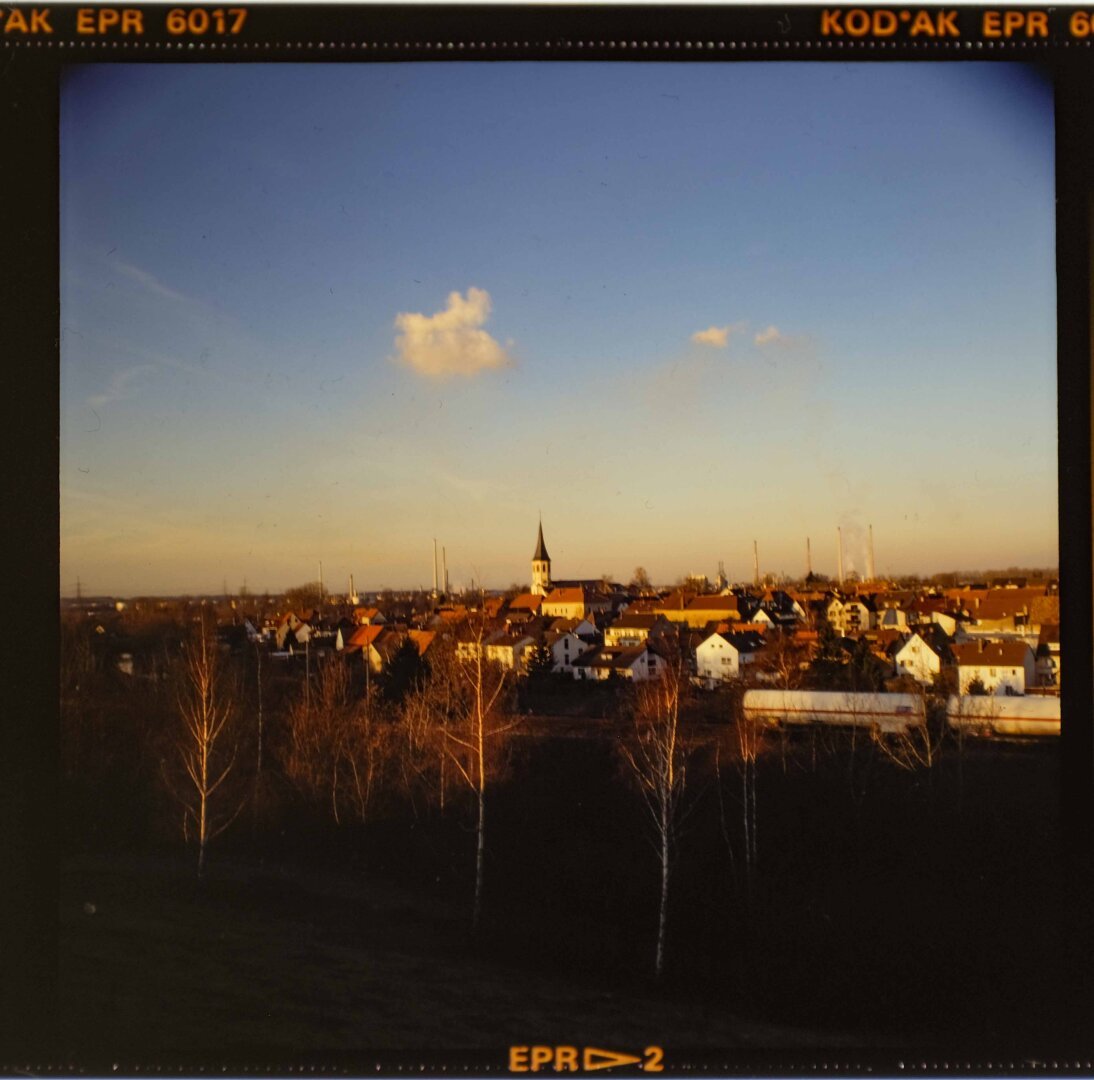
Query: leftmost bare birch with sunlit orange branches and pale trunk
point(206, 745)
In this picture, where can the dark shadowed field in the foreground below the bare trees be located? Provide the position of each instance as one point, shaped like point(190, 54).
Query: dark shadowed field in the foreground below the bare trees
point(888, 910)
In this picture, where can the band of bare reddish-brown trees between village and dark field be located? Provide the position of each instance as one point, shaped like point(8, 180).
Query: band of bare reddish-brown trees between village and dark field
point(213, 746)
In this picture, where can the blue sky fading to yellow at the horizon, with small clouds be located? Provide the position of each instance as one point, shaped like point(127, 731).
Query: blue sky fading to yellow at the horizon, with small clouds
point(331, 312)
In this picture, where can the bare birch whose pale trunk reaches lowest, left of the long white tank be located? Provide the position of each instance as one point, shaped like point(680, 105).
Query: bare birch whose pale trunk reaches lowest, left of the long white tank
point(657, 762)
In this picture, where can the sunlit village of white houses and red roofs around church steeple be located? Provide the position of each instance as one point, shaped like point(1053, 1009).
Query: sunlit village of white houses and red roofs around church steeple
point(998, 638)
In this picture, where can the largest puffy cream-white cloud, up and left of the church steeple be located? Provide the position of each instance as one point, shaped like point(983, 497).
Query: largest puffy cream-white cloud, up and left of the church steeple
point(451, 342)
